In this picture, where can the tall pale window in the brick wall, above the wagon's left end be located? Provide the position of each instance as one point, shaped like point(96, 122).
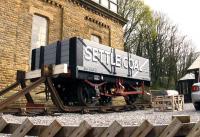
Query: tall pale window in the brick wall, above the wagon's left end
point(39, 31)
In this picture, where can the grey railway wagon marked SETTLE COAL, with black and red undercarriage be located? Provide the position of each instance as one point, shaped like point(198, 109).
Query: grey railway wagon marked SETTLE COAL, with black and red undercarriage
point(92, 73)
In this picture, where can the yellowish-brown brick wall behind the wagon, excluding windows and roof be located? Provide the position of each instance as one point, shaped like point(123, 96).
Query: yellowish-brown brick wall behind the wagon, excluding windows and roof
point(66, 19)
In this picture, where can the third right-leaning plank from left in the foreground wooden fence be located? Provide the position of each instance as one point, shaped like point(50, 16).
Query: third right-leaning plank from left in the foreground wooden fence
point(51, 130)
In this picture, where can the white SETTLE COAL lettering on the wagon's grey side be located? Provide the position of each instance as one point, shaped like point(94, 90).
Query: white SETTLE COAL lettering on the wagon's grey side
point(110, 58)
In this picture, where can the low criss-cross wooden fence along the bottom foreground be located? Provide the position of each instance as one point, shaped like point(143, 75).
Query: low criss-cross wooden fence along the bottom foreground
point(177, 128)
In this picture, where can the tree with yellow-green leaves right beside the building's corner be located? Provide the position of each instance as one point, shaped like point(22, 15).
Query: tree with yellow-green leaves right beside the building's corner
point(137, 15)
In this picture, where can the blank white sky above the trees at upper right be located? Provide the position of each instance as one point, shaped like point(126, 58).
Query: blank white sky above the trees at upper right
point(184, 13)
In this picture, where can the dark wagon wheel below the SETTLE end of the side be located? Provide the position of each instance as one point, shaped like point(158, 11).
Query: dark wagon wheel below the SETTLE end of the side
point(86, 95)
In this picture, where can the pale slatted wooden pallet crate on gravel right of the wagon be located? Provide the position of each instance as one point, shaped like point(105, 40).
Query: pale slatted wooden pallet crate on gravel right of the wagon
point(168, 103)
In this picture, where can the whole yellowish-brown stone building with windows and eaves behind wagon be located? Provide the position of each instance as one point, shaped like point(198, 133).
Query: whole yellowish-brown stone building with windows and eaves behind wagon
point(28, 24)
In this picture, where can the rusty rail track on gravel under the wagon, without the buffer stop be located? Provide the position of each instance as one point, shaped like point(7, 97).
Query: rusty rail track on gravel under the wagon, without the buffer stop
point(53, 110)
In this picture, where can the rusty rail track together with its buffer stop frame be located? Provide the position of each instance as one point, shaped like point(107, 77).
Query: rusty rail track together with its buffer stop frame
point(58, 106)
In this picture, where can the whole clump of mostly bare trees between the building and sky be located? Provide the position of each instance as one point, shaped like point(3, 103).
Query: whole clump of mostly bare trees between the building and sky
point(152, 36)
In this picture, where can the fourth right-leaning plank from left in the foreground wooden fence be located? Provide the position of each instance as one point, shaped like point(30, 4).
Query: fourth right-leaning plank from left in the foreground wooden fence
point(82, 130)
